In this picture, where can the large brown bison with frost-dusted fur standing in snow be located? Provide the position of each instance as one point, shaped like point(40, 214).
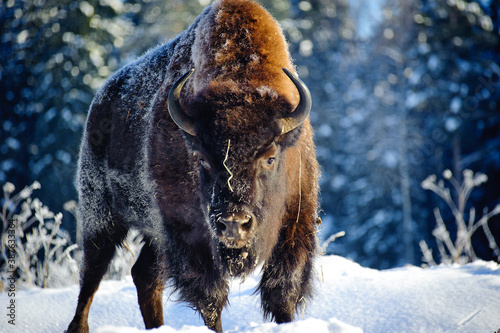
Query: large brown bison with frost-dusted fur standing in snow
point(204, 145)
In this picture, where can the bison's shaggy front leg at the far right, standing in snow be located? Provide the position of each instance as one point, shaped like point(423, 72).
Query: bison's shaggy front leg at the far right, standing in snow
point(286, 280)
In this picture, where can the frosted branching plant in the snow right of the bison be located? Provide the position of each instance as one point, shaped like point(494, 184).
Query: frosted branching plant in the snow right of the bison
point(459, 250)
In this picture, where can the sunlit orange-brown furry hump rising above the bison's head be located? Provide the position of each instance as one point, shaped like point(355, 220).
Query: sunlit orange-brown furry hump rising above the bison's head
point(244, 46)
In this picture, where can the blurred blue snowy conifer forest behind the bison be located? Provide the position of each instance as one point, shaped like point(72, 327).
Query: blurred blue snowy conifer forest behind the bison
point(401, 90)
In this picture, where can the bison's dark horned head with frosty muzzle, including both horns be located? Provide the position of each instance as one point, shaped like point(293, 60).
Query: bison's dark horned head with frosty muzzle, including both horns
point(240, 136)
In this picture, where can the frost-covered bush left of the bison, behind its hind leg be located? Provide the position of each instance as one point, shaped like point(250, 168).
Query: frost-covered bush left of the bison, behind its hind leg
point(33, 246)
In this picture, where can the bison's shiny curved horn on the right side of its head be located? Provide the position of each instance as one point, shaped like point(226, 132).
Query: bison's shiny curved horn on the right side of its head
point(302, 110)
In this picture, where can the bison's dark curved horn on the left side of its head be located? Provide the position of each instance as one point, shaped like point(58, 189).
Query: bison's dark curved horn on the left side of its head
point(177, 113)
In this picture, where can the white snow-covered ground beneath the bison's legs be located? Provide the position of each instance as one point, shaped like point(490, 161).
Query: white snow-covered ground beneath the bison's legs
point(349, 298)
